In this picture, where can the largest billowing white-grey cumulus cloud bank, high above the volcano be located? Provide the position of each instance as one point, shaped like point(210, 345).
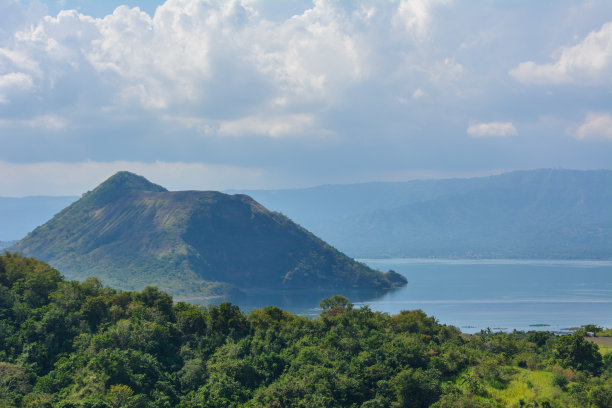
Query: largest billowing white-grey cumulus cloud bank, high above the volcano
point(193, 57)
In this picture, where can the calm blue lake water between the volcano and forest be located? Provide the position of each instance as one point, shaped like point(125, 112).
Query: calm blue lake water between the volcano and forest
point(479, 294)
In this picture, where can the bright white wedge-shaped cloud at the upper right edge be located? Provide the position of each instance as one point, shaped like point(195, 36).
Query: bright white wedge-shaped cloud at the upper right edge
point(586, 63)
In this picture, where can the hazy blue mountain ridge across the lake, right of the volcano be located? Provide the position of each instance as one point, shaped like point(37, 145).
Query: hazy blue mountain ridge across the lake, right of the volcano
point(564, 214)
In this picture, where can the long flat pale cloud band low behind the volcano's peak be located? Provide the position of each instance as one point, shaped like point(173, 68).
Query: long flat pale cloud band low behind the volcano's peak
point(58, 178)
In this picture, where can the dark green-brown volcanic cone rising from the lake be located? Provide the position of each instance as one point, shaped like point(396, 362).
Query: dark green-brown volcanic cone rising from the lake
point(131, 233)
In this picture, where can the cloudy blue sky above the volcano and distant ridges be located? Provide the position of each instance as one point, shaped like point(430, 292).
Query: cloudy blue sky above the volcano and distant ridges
point(267, 94)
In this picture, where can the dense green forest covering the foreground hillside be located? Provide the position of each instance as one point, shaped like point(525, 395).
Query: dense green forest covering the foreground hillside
point(79, 344)
